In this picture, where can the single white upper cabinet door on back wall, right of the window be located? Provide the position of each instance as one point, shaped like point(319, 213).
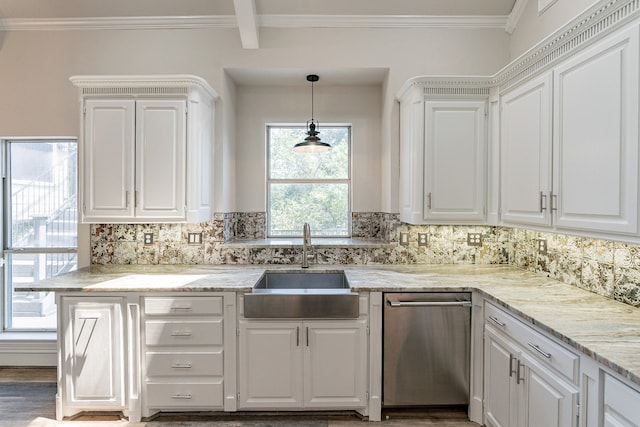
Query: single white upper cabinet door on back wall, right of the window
point(454, 175)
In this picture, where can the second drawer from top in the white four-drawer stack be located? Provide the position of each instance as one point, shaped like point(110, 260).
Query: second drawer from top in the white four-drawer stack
point(167, 332)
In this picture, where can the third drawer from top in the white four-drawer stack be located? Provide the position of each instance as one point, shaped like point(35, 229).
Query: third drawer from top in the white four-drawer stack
point(184, 364)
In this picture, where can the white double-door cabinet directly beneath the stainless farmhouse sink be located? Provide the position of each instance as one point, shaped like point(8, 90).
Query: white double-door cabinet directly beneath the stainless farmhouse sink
point(303, 364)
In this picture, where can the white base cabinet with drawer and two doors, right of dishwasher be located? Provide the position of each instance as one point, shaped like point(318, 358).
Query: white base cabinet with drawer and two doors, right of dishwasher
point(529, 380)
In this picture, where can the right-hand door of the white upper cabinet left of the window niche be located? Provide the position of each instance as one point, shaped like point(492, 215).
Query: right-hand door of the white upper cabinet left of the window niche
point(160, 159)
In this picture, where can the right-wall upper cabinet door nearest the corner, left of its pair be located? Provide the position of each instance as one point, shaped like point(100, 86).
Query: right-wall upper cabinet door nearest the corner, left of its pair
point(525, 154)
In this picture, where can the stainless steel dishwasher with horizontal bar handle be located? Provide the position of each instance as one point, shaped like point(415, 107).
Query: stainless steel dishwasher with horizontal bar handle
point(426, 341)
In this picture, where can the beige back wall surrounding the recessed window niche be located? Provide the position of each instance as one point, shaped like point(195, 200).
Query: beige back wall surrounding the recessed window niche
point(37, 98)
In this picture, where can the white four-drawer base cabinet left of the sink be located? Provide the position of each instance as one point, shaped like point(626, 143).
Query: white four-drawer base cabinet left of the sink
point(182, 354)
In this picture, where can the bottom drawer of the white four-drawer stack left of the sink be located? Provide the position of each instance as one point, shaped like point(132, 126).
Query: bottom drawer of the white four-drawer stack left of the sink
point(184, 395)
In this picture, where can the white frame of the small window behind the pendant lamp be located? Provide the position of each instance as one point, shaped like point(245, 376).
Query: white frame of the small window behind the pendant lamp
point(347, 180)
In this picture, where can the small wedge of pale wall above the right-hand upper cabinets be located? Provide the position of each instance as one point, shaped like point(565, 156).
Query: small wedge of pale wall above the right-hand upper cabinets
point(534, 27)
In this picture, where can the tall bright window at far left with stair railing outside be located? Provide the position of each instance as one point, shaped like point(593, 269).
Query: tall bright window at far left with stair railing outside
point(39, 227)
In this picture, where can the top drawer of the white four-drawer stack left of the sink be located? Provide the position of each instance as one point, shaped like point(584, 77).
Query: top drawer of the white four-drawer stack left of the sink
point(181, 306)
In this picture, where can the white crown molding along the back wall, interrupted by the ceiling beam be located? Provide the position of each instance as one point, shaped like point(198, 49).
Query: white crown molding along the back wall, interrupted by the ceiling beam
point(273, 21)
